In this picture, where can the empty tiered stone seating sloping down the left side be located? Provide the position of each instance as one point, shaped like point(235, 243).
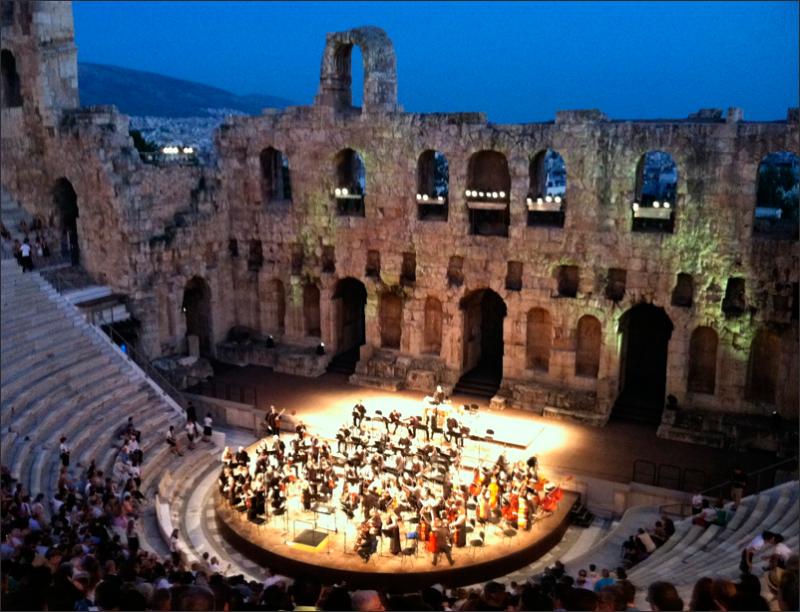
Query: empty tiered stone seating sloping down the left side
point(62, 376)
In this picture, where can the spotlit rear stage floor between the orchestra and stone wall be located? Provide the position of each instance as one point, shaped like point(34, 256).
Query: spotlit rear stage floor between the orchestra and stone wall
point(608, 452)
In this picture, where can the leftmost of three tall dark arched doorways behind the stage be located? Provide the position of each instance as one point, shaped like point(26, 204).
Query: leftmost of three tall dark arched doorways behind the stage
point(349, 301)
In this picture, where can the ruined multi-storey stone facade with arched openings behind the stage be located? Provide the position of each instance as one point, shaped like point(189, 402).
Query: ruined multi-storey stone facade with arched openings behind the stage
point(148, 230)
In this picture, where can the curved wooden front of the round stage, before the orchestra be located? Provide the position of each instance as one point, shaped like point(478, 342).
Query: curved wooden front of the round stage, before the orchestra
point(279, 545)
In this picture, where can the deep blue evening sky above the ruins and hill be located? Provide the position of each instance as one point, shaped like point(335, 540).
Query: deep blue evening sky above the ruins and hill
point(517, 61)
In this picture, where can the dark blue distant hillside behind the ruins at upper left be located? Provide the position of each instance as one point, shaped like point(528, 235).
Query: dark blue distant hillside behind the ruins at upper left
point(139, 93)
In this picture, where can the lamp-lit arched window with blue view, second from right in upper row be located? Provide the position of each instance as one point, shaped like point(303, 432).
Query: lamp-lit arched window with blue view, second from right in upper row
point(653, 208)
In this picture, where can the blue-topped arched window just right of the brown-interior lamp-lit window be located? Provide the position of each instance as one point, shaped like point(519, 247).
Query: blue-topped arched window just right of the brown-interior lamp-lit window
point(547, 189)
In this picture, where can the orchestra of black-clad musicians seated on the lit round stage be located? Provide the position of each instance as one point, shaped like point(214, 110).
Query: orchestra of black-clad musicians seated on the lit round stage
point(389, 481)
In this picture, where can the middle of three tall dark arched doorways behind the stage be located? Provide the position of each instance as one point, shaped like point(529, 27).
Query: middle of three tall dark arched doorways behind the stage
point(484, 311)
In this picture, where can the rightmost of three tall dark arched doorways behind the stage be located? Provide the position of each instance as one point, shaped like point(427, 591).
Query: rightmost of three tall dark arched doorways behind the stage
point(646, 330)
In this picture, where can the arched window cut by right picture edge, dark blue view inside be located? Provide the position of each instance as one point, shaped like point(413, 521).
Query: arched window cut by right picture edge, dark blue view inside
point(778, 196)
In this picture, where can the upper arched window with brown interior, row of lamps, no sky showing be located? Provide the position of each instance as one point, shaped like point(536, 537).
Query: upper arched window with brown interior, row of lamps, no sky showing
point(488, 193)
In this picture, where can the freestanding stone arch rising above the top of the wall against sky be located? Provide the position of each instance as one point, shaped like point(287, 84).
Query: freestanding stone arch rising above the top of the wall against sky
point(380, 71)
